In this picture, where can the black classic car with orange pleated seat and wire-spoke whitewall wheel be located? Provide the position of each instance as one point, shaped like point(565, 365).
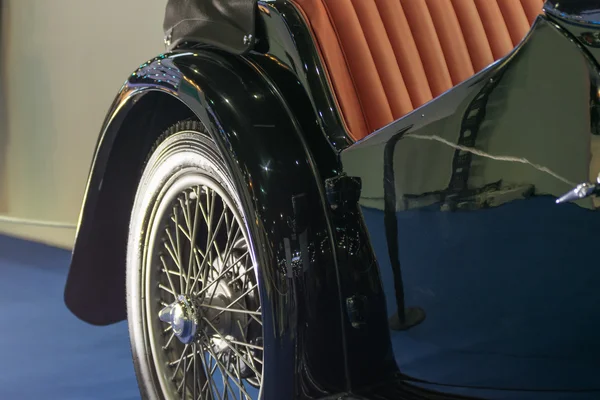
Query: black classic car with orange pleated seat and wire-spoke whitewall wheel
point(353, 199)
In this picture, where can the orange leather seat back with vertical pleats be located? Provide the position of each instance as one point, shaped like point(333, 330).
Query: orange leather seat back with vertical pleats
point(384, 58)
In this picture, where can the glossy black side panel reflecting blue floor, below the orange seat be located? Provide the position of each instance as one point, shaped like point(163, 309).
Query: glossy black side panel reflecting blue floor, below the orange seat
point(501, 271)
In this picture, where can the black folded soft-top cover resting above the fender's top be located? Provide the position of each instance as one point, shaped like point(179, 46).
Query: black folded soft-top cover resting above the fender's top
point(227, 24)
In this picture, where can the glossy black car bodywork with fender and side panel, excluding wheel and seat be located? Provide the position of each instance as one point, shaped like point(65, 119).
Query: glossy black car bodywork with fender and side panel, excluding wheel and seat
point(447, 214)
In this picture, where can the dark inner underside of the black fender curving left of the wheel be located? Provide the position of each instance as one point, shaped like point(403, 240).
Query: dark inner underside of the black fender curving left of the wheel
point(98, 258)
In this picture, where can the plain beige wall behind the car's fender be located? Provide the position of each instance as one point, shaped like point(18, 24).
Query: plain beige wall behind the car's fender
point(62, 63)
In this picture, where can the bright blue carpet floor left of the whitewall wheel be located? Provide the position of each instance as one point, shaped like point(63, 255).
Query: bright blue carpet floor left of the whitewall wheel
point(45, 351)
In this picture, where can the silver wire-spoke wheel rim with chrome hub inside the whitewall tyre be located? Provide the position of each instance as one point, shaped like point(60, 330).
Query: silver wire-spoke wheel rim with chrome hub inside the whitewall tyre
point(201, 308)
